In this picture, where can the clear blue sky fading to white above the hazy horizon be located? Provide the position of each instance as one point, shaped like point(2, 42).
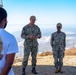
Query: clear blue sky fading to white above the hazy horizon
point(46, 11)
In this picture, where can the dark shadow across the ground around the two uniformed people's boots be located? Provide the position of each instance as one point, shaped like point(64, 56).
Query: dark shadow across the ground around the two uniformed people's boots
point(46, 70)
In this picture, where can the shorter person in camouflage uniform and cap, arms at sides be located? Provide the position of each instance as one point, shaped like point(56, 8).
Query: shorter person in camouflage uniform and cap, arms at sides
point(58, 43)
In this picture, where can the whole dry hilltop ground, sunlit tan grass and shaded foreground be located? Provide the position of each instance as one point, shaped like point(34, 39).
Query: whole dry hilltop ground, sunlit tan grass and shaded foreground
point(45, 64)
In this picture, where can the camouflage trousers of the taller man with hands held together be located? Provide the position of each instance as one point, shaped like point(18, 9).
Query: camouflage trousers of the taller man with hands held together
point(27, 51)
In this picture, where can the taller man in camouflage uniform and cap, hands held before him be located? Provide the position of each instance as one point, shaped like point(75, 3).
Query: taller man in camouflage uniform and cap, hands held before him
point(30, 33)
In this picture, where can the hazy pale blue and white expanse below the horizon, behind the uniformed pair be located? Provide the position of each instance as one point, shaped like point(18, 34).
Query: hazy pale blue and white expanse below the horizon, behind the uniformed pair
point(44, 42)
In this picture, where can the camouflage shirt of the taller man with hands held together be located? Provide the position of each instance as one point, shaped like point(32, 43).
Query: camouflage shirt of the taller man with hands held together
point(27, 31)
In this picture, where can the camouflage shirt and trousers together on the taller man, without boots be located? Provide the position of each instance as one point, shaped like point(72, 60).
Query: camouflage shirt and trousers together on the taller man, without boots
point(30, 45)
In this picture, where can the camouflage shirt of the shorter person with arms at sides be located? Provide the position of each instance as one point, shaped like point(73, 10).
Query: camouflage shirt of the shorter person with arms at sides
point(58, 40)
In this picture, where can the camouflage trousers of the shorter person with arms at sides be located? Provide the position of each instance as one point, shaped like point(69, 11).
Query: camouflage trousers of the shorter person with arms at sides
point(58, 58)
